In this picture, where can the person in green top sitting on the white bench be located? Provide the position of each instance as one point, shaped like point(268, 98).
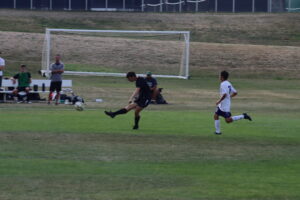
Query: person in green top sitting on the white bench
point(24, 80)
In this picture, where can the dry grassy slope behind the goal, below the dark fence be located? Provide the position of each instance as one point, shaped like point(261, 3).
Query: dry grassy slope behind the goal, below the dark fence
point(208, 55)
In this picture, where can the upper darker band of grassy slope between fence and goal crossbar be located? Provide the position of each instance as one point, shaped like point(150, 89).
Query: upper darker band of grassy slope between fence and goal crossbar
point(275, 29)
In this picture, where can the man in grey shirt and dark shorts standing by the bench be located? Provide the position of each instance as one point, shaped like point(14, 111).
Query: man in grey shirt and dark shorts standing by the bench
point(56, 69)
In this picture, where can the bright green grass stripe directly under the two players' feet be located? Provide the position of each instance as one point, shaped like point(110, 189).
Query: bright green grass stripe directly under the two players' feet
point(189, 123)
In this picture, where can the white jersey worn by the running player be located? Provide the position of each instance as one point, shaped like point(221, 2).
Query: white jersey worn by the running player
point(228, 89)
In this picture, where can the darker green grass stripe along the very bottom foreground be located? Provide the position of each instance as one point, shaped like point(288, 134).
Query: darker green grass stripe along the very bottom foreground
point(201, 180)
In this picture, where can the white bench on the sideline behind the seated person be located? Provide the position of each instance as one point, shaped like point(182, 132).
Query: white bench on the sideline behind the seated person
point(7, 83)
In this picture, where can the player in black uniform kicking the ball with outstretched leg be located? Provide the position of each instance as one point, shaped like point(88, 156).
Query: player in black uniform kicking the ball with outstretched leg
point(139, 99)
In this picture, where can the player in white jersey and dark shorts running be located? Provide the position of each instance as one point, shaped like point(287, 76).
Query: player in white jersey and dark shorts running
point(227, 92)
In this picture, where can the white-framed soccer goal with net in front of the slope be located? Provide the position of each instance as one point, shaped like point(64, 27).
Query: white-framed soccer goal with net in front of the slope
point(115, 52)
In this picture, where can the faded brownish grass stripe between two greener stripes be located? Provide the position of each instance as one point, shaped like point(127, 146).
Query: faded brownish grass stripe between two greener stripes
point(145, 148)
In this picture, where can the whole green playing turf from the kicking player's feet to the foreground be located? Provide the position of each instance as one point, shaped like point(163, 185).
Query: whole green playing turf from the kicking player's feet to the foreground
point(66, 154)
